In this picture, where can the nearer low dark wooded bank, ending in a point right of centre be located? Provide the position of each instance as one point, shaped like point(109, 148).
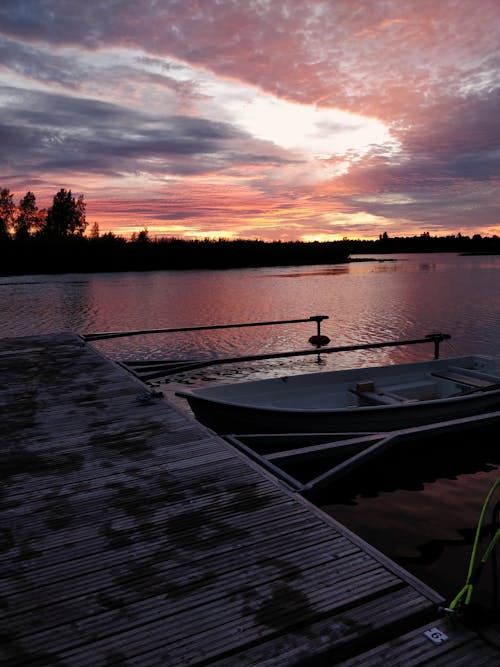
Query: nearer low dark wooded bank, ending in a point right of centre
point(113, 253)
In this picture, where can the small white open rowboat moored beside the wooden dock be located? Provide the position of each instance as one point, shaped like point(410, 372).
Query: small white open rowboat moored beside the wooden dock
point(362, 400)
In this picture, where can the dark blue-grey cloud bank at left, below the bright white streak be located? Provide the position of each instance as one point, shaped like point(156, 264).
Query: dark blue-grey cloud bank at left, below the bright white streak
point(59, 131)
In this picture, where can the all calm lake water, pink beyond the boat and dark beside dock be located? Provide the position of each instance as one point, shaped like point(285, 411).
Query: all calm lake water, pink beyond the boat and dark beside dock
point(426, 524)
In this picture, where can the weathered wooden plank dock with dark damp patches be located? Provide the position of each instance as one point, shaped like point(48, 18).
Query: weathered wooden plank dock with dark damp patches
point(131, 535)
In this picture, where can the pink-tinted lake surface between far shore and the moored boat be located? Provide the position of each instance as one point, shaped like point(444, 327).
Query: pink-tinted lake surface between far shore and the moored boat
point(403, 296)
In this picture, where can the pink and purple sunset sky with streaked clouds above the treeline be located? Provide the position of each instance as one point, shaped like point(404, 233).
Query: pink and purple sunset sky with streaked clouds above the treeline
point(256, 119)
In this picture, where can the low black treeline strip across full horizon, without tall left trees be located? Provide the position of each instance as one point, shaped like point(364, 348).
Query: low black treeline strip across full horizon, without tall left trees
point(38, 254)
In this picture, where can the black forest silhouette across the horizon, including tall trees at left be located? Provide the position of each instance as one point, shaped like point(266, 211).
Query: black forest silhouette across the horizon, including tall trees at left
point(57, 240)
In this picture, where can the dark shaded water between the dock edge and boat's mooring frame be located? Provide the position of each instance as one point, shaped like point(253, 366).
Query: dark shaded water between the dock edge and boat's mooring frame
point(421, 504)
